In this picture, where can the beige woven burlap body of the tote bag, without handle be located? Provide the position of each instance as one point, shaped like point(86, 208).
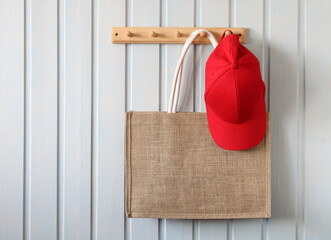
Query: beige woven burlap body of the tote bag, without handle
point(173, 169)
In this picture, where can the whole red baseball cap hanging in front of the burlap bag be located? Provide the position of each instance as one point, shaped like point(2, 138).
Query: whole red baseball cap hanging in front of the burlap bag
point(234, 96)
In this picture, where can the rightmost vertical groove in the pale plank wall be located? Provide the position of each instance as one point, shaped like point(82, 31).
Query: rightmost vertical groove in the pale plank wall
point(301, 102)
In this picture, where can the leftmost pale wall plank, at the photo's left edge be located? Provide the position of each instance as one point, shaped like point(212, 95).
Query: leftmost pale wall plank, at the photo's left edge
point(12, 120)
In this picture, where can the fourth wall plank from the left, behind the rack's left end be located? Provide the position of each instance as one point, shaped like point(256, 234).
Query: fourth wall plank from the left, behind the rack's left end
point(108, 117)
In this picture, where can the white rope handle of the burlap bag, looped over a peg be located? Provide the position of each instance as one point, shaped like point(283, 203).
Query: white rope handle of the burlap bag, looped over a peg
point(173, 102)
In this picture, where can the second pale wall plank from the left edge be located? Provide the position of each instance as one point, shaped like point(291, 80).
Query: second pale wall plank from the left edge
point(41, 121)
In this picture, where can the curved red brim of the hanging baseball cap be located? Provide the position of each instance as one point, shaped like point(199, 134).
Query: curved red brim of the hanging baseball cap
point(238, 136)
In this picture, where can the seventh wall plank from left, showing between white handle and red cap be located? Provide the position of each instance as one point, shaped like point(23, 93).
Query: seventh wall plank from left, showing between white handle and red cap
point(208, 13)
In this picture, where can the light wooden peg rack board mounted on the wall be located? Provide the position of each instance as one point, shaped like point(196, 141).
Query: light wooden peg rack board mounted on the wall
point(168, 34)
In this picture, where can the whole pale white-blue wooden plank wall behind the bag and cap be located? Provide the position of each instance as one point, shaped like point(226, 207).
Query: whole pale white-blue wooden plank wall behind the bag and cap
point(64, 89)
